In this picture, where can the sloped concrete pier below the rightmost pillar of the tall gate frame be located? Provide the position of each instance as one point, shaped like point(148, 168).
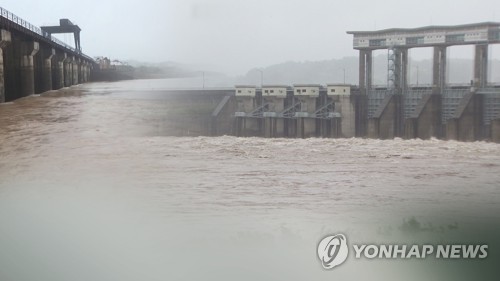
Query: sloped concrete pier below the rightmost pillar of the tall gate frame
point(466, 124)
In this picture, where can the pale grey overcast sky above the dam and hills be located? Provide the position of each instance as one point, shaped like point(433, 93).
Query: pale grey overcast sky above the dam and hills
point(235, 35)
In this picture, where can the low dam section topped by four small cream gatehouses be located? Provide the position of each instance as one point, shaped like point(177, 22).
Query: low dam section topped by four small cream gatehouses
point(301, 111)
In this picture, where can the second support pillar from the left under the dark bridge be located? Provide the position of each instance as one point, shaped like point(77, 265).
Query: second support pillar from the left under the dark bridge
point(28, 50)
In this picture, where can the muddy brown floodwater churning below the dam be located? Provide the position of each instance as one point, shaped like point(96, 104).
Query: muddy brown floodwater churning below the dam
point(94, 187)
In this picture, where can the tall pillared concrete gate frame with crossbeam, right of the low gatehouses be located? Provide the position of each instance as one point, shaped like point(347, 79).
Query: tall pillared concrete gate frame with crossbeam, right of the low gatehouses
point(442, 111)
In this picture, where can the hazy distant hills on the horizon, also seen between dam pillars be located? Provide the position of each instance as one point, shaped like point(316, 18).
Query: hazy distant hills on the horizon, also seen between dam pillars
point(317, 72)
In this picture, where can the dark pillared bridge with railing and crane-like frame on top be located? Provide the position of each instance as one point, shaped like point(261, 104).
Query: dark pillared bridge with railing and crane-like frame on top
point(32, 61)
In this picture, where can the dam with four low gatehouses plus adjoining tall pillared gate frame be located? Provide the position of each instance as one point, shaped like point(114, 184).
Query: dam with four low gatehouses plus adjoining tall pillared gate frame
point(465, 113)
